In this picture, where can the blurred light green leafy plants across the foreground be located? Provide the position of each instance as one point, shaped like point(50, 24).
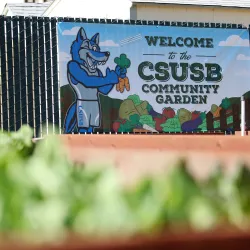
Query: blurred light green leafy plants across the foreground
point(43, 195)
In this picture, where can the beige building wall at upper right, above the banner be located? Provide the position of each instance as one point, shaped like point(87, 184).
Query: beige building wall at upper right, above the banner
point(193, 14)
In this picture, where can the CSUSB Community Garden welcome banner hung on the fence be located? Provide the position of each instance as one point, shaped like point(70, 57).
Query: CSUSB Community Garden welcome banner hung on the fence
point(118, 77)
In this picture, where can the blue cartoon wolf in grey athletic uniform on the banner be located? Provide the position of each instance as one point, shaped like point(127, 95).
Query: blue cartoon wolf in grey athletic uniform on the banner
point(88, 82)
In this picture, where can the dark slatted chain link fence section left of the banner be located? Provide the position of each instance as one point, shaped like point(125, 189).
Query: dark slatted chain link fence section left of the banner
point(29, 87)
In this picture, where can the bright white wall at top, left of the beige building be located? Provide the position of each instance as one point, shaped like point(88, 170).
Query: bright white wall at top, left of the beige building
point(91, 9)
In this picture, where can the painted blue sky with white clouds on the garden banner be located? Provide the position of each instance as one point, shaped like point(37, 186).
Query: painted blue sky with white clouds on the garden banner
point(231, 48)
